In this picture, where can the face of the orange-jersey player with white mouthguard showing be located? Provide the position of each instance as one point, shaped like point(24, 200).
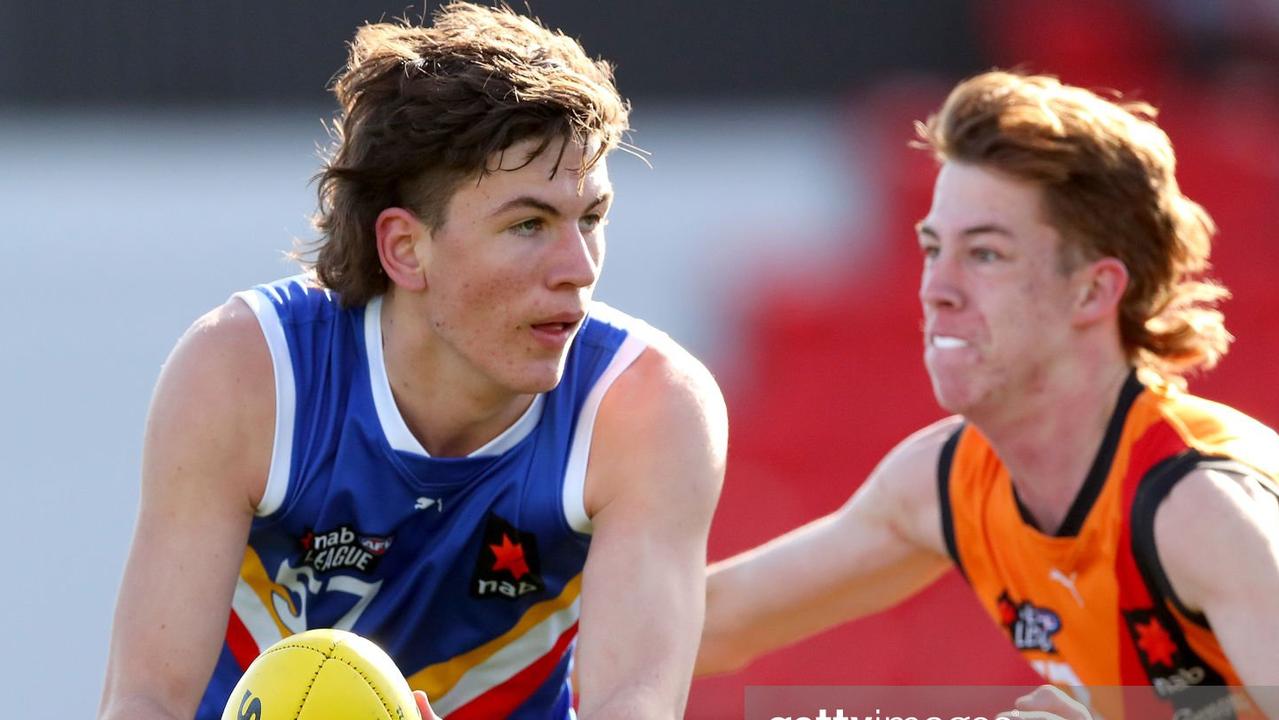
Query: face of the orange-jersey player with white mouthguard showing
point(997, 305)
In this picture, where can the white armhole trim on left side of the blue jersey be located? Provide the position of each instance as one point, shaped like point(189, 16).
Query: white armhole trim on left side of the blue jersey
point(286, 400)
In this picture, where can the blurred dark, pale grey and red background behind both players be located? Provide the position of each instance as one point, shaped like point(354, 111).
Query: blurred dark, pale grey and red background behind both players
point(155, 158)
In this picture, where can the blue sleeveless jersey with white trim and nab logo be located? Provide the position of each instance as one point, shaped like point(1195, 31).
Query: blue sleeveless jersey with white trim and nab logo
point(467, 571)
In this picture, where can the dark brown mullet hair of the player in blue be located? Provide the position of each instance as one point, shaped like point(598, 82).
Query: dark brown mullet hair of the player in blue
point(424, 109)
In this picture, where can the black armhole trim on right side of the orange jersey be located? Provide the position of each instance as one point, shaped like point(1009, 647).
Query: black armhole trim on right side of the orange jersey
point(1154, 489)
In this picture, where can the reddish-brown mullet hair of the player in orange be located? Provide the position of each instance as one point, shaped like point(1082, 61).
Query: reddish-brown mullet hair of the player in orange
point(1110, 187)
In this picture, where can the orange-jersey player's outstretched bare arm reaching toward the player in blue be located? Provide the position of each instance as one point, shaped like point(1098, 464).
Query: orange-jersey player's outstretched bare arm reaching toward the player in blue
point(883, 547)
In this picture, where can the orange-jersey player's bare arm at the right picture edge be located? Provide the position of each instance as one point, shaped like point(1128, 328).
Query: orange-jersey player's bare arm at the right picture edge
point(1218, 540)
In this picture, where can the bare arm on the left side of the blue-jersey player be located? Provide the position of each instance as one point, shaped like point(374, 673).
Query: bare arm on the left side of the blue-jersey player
point(204, 467)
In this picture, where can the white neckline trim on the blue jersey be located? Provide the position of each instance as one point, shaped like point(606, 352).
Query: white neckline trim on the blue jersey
point(397, 432)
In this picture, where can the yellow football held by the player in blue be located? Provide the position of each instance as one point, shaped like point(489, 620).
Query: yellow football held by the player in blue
point(322, 675)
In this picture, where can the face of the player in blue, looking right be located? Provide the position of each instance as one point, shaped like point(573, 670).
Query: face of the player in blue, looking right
point(512, 270)
